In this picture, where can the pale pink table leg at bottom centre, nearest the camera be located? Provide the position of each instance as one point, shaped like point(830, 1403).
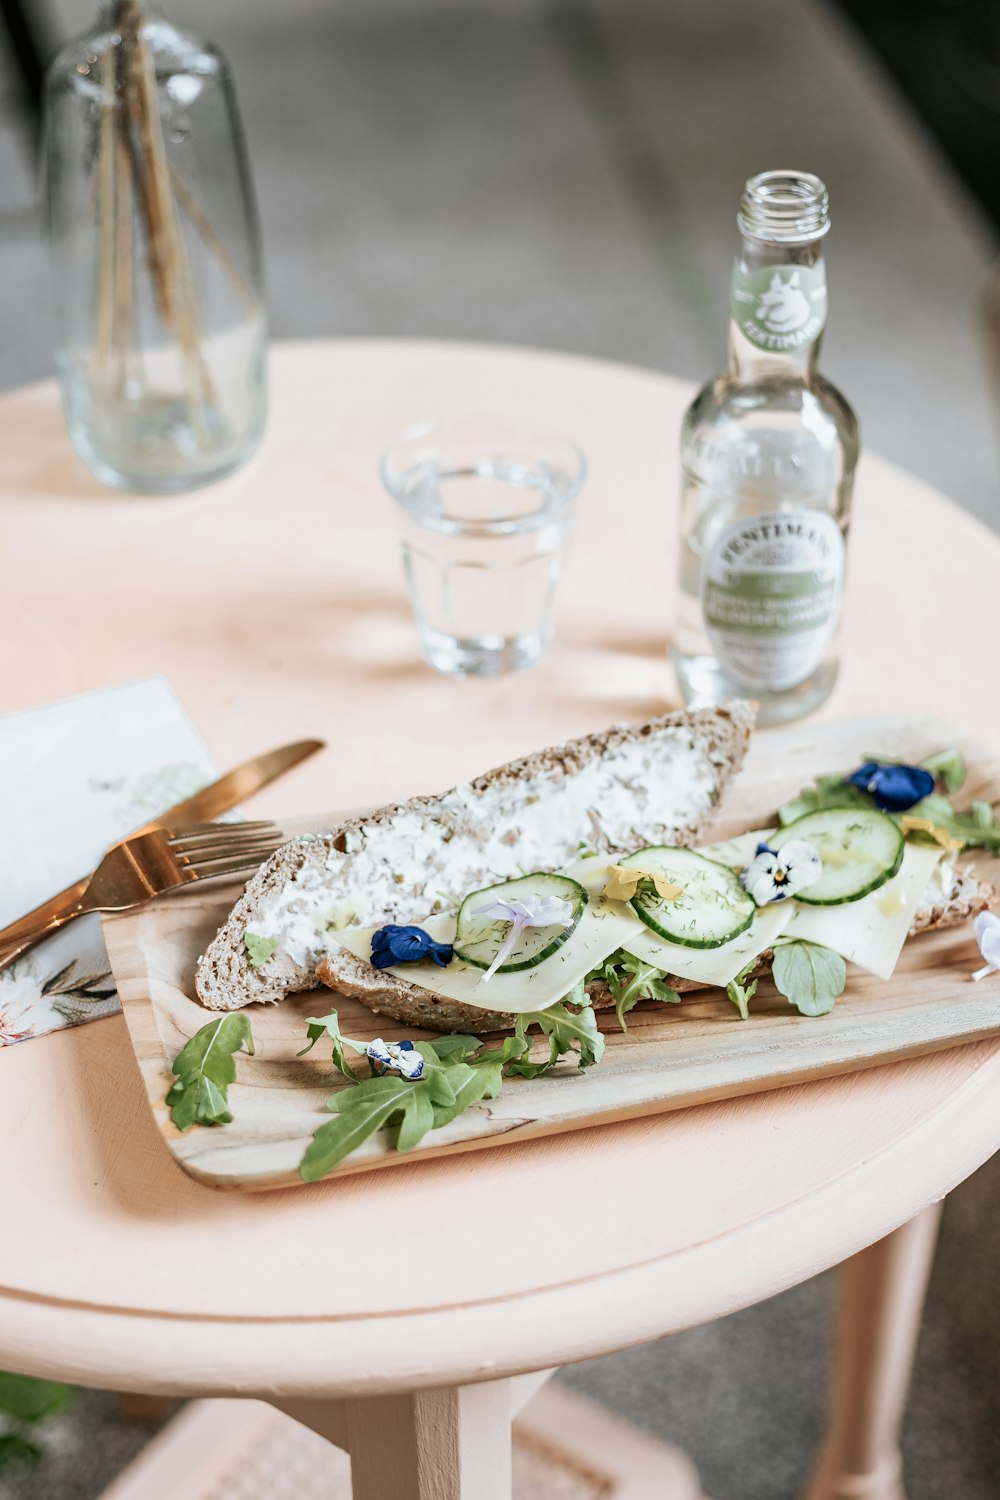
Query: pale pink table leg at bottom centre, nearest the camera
point(433, 1445)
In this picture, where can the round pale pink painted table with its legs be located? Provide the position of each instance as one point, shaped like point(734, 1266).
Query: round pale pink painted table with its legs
point(277, 608)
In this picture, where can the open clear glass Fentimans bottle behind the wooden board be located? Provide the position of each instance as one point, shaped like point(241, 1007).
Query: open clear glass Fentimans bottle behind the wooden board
point(768, 455)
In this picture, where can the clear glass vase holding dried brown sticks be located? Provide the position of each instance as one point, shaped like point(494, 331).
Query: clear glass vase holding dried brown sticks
point(157, 265)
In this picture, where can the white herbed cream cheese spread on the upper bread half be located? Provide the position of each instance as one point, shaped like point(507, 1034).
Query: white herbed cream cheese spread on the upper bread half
point(427, 860)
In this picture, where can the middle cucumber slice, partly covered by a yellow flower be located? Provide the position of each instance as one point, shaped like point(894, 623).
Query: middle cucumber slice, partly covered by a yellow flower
point(711, 910)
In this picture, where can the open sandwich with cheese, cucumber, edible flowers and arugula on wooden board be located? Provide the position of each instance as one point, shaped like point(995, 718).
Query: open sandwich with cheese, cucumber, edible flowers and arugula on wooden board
point(576, 881)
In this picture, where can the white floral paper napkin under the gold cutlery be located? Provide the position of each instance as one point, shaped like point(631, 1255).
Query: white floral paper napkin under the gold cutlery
point(77, 776)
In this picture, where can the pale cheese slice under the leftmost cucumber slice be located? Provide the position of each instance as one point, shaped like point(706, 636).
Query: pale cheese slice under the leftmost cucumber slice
point(602, 929)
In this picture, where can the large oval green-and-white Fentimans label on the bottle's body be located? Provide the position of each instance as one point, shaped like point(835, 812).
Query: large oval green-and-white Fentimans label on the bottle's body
point(771, 593)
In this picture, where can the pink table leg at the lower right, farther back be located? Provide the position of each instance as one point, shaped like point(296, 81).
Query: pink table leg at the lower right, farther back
point(882, 1298)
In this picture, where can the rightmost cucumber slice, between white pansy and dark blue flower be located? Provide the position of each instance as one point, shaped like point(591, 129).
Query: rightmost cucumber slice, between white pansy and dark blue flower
point(860, 848)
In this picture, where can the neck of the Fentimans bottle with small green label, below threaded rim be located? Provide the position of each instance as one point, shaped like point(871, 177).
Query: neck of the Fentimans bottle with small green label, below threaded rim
point(777, 311)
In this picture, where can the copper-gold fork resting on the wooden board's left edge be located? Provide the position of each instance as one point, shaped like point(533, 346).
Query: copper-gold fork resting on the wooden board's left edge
point(164, 860)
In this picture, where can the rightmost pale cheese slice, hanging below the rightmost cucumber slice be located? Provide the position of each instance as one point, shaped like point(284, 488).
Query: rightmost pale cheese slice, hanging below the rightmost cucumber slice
point(872, 932)
